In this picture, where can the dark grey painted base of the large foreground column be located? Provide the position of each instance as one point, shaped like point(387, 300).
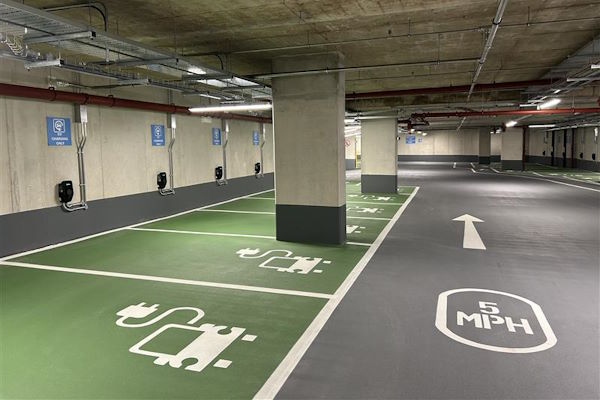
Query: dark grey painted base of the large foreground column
point(310, 224)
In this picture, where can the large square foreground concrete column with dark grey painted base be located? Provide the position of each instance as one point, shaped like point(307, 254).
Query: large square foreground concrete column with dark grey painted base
point(308, 124)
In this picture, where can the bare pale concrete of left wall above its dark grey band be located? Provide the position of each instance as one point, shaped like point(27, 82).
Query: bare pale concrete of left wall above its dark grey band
point(119, 157)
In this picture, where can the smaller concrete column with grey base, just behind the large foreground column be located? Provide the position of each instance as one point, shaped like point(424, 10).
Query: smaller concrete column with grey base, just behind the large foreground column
point(379, 159)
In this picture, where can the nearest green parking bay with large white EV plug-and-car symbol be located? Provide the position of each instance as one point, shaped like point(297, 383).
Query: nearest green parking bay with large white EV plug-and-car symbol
point(61, 340)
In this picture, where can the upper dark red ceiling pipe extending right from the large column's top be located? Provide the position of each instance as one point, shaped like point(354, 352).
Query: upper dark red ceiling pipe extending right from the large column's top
point(483, 87)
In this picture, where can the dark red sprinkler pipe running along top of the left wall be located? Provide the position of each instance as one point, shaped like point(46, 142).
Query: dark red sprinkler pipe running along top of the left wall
point(29, 92)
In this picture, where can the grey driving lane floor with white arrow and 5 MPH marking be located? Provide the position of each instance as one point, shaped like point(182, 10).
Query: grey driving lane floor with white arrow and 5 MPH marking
point(542, 244)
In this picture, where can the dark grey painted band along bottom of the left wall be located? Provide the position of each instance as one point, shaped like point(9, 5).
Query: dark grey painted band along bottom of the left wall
point(37, 228)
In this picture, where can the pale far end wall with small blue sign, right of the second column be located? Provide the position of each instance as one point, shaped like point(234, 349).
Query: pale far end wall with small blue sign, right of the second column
point(441, 145)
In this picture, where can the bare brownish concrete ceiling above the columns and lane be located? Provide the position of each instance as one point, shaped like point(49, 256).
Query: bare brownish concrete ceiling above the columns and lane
point(246, 35)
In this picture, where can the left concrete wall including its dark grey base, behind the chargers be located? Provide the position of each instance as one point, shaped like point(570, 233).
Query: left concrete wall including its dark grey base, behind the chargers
point(121, 164)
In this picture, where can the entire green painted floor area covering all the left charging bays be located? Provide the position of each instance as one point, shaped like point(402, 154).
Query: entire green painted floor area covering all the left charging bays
point(205, 304)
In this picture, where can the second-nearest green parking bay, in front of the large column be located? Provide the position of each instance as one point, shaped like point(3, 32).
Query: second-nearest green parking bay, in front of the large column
point(229, 260)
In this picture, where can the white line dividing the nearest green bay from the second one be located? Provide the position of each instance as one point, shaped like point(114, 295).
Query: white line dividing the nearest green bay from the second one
point(168, 280)
